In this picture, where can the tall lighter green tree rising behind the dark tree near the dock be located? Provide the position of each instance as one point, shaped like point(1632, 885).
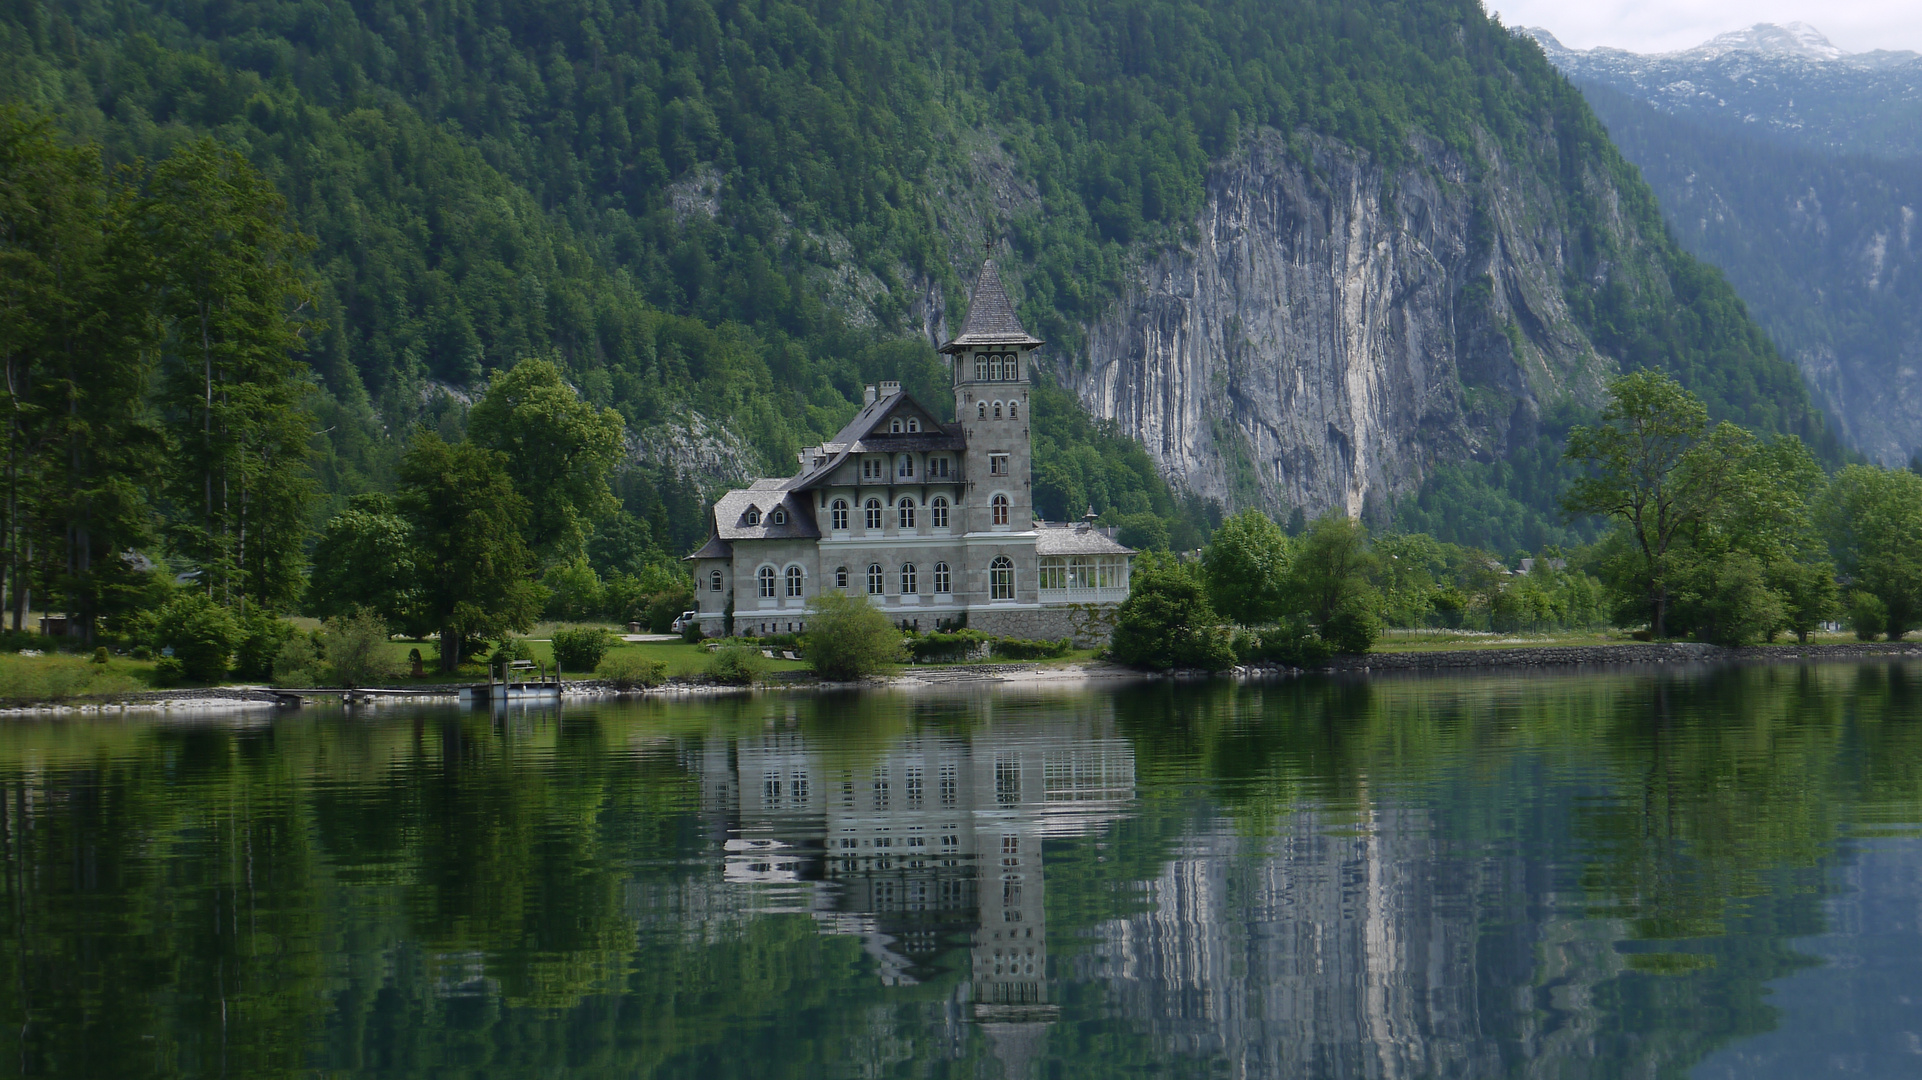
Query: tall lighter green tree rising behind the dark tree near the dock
point(560, 453)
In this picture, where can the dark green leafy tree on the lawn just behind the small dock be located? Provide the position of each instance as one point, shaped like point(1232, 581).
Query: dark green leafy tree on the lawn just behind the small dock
point(470, 552)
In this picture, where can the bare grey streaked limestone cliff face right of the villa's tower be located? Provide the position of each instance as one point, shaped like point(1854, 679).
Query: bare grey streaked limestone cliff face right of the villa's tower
point(1335, 330)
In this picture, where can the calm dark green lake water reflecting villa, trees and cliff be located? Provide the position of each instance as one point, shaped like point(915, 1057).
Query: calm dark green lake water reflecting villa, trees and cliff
point(1712, 873)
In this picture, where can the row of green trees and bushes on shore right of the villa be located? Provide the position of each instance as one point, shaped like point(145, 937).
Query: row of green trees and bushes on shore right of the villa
point(1710, 533)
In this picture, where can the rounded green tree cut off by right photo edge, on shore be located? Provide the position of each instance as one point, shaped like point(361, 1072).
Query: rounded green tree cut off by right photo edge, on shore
point(1873, 520)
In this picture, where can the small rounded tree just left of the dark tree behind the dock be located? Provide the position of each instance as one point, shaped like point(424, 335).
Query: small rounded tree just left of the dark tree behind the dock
point(364, 558)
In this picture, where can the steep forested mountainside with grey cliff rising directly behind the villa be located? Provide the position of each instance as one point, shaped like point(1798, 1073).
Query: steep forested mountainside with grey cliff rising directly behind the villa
point(724, 218)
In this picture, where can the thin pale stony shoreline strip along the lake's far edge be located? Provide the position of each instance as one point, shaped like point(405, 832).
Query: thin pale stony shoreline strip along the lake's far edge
point(1523, 658)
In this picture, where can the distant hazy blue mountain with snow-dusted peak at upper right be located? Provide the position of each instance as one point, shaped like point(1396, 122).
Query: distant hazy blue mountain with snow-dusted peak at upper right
point(1798, 170)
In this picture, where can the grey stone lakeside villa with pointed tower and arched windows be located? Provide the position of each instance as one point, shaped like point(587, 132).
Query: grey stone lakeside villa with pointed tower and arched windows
point(933, 522)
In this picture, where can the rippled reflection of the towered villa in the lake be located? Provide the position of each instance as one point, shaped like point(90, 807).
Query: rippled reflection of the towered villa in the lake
point(927, 845)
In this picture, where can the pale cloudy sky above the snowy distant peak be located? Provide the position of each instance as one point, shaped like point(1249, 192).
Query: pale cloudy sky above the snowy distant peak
point(1662, 26)
